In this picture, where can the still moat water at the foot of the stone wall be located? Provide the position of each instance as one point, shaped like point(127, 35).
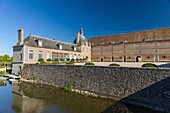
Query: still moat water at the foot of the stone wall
point(40, 98)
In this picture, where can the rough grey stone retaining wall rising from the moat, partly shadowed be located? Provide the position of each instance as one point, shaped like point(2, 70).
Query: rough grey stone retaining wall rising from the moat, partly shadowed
point(133, 85)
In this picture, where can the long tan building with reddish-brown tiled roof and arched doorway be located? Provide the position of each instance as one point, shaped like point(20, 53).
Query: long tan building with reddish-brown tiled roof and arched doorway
point(146, 46)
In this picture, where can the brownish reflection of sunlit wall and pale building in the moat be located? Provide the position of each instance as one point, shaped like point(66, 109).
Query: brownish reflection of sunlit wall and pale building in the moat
point(50, 97)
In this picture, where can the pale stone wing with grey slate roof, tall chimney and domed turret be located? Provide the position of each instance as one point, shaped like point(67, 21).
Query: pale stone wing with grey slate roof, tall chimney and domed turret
point(30, 49)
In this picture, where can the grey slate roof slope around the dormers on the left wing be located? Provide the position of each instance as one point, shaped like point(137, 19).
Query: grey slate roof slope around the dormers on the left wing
point(32, 40)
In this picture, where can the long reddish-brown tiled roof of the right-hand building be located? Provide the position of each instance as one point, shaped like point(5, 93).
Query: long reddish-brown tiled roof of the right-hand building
point(140, 36)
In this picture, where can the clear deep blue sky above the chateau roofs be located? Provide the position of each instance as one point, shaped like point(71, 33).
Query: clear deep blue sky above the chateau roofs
point(61, 19)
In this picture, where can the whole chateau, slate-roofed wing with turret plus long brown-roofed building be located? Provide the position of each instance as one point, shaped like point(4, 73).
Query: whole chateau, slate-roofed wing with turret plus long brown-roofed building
point(141, 46)
